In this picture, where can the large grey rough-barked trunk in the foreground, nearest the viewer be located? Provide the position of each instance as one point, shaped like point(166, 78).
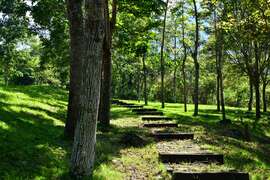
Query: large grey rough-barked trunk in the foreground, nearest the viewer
point(83, 152)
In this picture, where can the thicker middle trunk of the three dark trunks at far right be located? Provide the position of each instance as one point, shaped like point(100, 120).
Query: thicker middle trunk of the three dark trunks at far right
point(257, 81)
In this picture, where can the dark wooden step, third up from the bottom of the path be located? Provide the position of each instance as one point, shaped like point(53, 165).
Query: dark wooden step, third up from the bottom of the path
point(169, 136)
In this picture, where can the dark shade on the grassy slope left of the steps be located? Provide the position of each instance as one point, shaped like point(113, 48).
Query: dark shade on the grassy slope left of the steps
point(32, 146)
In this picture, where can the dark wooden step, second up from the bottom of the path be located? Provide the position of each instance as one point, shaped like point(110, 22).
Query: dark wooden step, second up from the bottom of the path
point(195, 157)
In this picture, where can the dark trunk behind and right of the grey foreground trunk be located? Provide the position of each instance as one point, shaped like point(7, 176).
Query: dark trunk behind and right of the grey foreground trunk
point(105, 98)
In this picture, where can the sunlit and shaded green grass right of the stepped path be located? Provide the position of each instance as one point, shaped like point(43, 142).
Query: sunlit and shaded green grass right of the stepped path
point(250, 156)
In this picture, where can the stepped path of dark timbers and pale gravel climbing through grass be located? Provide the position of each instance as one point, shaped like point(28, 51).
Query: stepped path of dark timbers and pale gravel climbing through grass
point(176, 149)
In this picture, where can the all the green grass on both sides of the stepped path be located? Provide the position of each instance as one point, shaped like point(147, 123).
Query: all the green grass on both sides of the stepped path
point(32, 144)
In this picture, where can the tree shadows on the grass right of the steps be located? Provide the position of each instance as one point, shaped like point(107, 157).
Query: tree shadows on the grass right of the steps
point(241, 153)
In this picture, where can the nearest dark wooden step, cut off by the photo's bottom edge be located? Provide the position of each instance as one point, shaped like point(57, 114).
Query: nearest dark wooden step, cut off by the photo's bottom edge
point(210, 176)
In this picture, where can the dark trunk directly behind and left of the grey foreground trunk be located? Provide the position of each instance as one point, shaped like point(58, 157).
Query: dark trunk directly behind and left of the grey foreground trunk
point(76, 50)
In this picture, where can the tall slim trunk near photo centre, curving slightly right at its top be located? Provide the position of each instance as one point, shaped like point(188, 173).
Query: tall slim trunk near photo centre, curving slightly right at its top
point(162, 69)
